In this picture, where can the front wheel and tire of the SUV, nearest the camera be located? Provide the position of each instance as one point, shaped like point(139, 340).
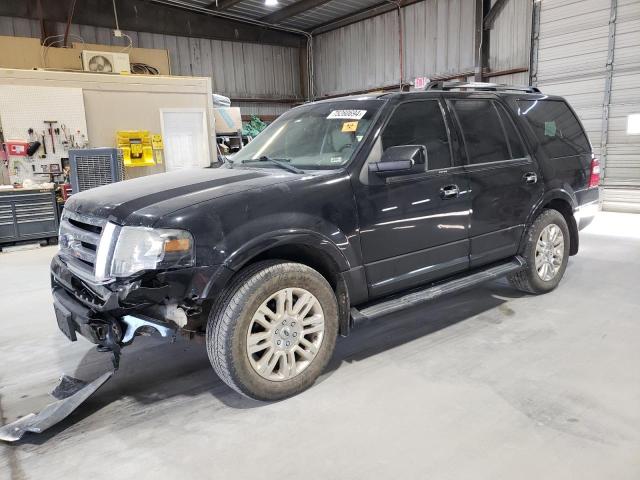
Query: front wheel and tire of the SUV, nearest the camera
point(254, 306)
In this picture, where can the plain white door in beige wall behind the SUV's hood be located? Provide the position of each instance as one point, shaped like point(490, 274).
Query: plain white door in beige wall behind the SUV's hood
point(184, 132)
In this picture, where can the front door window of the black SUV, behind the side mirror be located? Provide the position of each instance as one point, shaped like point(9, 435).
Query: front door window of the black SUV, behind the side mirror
point(420, 123)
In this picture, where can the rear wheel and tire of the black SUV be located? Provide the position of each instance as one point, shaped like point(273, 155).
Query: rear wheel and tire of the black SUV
point(536, 278)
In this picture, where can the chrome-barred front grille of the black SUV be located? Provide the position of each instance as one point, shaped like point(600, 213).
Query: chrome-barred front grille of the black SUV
point(79, 239)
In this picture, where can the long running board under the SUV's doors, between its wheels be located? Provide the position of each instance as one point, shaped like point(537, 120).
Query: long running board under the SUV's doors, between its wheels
point(436, 291)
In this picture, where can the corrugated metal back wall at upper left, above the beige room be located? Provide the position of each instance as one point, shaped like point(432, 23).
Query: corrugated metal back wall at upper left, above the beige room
point(239, 70)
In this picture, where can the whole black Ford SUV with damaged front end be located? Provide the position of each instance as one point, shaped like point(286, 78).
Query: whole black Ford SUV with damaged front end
point(341, 209)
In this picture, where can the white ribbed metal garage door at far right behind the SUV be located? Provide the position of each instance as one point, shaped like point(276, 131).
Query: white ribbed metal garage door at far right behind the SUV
point(572, 62)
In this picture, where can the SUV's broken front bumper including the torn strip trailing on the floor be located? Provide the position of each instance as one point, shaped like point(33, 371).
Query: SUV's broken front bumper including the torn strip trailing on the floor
point(110, 316)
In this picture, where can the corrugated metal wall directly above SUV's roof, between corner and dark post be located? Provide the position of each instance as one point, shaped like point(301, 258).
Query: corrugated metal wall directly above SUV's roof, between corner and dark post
point(437, 41)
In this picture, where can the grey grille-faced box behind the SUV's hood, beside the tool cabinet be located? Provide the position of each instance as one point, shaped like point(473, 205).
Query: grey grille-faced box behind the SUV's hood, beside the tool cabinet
point(94, 168)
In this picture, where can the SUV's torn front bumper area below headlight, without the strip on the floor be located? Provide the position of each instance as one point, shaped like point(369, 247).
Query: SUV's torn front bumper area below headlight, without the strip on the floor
point(111, 315)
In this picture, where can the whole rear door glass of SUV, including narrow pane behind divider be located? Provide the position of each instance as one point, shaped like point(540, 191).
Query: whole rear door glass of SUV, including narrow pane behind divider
point(488, 132)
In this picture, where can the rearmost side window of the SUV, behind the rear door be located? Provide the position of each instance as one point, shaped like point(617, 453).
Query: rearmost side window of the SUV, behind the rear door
point(555, 126)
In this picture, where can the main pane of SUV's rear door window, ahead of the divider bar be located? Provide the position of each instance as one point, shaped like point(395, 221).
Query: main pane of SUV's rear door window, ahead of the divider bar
point(482, 131)
